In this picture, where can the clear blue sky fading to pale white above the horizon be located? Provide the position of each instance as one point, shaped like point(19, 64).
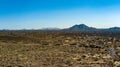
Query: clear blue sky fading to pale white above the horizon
point(36, 14)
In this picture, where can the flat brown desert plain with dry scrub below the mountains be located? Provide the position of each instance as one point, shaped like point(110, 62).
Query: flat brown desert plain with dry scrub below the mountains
point(58, 49)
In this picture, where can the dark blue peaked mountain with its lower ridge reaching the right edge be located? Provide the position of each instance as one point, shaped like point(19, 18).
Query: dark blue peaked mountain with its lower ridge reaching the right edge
point(85, 28)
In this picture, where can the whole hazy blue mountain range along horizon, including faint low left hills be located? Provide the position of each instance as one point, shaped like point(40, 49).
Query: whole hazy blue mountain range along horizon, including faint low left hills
point(80, 27)
